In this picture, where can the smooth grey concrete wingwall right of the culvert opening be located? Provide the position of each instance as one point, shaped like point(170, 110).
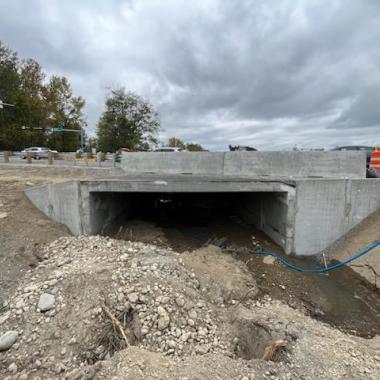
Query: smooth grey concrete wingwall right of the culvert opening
point(328, 209)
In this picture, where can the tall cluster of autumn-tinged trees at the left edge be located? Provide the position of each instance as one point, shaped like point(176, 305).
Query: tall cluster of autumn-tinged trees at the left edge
point(36, 105)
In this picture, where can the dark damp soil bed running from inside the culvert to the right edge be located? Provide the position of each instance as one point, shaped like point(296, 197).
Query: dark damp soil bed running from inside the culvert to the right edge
point(342, 298)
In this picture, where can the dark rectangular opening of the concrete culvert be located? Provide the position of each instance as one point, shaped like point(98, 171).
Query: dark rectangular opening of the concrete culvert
point(186, 221)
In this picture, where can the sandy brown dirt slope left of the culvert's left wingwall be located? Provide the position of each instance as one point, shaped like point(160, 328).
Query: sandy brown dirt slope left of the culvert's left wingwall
point(24, 229)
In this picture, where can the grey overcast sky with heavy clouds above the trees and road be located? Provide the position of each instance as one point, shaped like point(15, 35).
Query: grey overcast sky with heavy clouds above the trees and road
point(267, 73)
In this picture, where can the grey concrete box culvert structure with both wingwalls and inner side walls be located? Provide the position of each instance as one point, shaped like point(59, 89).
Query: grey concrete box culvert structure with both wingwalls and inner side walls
point(302, 216)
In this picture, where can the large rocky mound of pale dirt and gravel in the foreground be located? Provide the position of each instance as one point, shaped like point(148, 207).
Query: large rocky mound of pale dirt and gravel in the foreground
point(102, 308)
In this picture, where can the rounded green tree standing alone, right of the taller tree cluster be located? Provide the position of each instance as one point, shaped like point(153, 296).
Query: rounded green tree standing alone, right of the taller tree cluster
point(128, 122)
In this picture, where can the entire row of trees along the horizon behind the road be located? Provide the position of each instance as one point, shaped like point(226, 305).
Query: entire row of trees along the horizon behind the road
point(43, 111)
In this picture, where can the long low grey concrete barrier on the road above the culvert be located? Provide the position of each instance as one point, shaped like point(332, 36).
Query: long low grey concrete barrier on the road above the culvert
point(331, 164)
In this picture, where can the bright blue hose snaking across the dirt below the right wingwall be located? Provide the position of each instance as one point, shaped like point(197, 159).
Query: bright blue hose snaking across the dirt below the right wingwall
point(297, 268)
